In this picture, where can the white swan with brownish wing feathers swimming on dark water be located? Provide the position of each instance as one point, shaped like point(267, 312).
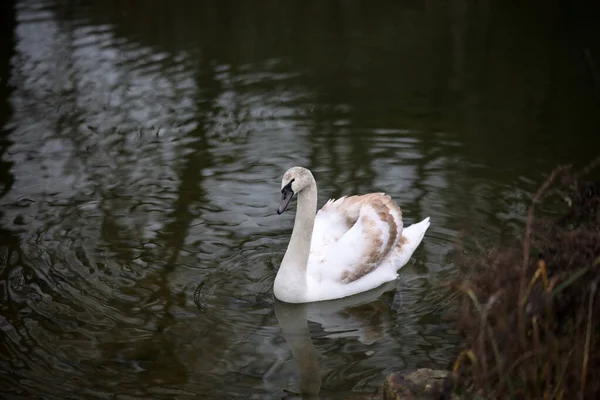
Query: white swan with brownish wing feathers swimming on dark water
point(351, 245)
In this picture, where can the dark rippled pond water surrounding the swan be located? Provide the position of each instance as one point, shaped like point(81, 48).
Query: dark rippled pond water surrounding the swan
point(143, 145)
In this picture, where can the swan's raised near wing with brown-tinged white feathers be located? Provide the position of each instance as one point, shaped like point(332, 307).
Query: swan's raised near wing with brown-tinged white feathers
point(375, 230)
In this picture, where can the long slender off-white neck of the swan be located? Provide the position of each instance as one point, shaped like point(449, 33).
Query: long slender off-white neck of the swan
point(290, 282)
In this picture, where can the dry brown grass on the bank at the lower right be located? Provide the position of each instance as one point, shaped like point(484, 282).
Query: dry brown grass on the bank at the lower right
point(530, 313)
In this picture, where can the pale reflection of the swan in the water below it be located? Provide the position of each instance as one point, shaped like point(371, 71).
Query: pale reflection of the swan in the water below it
point(342, 318)
